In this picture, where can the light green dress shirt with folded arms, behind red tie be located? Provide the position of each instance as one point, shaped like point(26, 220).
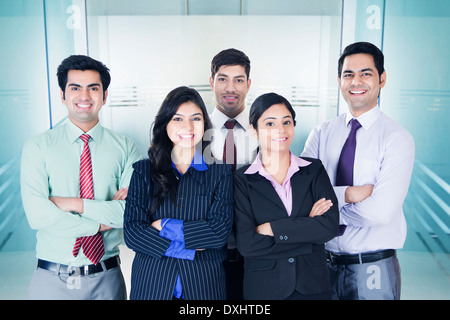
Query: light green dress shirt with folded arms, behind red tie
point(51, 166)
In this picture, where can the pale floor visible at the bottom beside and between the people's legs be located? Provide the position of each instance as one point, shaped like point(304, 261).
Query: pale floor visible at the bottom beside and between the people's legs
point(424, 276)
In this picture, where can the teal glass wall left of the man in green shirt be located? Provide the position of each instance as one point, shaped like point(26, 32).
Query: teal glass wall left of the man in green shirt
point(35, 37)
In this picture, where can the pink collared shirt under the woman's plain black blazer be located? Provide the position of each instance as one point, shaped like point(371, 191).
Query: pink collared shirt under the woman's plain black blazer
point(283, 190)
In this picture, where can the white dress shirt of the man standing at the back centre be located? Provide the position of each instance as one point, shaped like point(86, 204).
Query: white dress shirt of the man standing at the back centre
point(246, 145)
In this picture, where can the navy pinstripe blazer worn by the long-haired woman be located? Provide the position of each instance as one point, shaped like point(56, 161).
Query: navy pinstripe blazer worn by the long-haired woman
point(205, 203)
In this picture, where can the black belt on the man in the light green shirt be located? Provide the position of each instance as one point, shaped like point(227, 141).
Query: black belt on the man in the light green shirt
point(79, 271)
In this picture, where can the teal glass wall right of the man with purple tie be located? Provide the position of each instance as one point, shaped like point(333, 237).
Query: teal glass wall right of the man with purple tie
point(417, 95)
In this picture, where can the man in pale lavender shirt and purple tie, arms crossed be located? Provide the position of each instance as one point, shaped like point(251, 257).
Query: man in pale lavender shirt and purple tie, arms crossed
point(362, 261)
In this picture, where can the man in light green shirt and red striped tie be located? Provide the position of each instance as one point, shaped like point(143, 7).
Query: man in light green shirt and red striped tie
point(50, 191)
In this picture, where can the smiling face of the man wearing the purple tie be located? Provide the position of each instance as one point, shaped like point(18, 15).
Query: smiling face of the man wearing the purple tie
point(360, 83)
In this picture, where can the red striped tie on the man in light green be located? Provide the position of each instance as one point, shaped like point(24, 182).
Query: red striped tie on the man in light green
point(92, 246)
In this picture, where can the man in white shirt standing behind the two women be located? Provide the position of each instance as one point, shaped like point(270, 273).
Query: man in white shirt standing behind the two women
point(230, 82)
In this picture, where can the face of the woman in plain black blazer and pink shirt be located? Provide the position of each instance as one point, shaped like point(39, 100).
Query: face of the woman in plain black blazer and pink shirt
point(275, 129)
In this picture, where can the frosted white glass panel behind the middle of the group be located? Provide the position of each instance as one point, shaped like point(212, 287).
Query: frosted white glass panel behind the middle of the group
point(152, 50)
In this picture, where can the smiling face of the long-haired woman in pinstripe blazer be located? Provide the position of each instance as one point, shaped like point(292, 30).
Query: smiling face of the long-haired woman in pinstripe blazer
point(186, 127)
